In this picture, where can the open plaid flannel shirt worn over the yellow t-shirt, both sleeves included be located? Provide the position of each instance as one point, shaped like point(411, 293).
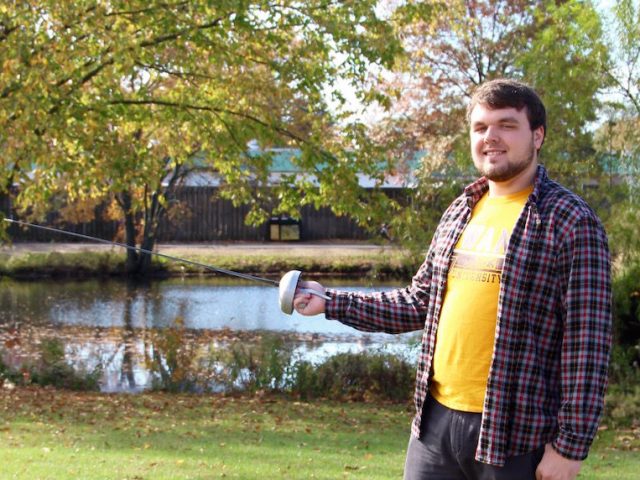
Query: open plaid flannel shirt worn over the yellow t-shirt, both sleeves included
point(550, 360)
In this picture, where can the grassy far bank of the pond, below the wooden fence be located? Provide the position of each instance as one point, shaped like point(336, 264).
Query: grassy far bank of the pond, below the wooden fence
point(387, 263)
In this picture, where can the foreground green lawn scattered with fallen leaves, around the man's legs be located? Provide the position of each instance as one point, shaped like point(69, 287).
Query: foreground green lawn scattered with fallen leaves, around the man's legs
point(48, 434)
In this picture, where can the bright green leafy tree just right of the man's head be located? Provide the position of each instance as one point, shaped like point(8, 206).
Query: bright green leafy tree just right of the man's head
point(564, 62)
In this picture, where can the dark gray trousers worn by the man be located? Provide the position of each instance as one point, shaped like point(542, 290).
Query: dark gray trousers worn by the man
point(447, 447)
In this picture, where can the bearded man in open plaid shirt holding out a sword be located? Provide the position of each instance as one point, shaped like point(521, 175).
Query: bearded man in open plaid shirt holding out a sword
point(514, 298)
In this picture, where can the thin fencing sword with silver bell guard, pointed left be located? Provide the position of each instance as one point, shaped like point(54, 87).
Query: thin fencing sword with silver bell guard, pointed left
point(288, 284)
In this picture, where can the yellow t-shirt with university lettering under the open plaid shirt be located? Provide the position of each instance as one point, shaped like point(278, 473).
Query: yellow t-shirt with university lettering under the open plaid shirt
point(466, 331)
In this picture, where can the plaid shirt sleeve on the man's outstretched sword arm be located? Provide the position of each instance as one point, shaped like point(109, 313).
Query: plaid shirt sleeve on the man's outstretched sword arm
point(396, 311)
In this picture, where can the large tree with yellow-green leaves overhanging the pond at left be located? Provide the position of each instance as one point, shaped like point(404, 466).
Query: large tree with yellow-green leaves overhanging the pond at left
point(113, 98)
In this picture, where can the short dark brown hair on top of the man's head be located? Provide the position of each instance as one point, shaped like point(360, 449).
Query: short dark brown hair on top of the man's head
point(505, 93)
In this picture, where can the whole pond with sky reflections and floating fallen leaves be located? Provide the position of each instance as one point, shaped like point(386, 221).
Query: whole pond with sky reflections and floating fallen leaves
point(132, 332)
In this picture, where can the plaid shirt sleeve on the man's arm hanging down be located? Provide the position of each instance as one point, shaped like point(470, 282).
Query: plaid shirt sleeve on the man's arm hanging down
point(585, 272)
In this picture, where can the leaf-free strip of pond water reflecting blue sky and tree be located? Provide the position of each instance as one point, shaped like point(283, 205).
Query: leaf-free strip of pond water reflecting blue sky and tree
point(203, 303)
